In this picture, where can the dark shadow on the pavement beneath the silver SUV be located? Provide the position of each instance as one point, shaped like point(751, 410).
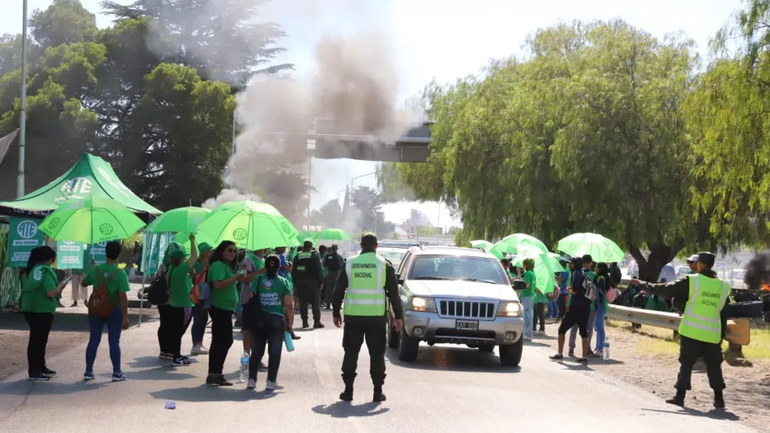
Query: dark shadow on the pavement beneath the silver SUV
point(452, 359)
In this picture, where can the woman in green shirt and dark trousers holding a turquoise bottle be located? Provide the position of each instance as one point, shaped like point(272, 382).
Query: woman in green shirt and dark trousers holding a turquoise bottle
point(277, 306)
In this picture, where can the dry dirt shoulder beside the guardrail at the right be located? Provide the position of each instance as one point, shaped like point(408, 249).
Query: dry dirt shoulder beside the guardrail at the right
point(649, 360)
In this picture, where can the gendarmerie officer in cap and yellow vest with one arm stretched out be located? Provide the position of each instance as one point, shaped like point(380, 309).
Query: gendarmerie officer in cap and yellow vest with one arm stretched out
point(702, 327)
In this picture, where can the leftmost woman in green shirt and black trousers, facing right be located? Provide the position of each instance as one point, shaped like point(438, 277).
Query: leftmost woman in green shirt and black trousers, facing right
point(38, 304)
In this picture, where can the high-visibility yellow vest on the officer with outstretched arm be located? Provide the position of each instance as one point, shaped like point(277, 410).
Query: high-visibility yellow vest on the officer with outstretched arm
point(702, 320)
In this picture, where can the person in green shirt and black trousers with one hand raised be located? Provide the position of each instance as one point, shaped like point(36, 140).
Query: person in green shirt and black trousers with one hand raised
point(180, 312)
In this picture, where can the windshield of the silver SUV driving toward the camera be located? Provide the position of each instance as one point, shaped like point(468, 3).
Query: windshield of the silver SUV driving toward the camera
point(485, 269)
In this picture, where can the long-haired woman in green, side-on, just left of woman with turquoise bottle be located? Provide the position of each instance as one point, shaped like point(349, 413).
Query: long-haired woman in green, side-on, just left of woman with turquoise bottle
point(223, 277)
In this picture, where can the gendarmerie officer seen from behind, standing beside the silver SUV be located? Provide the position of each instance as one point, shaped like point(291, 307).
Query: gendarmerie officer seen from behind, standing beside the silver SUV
point(366, 284)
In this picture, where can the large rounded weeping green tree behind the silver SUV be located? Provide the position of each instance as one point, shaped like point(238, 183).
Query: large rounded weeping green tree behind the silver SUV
point(585, 133)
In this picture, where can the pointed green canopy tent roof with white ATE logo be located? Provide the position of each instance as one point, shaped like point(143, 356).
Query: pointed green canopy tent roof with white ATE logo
point(90, 176)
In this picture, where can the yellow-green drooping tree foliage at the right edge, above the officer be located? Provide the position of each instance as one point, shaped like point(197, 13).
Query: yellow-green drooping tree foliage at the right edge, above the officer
point(729, 129)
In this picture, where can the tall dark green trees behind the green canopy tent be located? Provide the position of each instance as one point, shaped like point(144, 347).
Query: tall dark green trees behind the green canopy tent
point(141, 97)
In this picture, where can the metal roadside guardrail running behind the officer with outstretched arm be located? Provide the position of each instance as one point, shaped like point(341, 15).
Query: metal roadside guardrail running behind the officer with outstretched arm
point(738, 330)
